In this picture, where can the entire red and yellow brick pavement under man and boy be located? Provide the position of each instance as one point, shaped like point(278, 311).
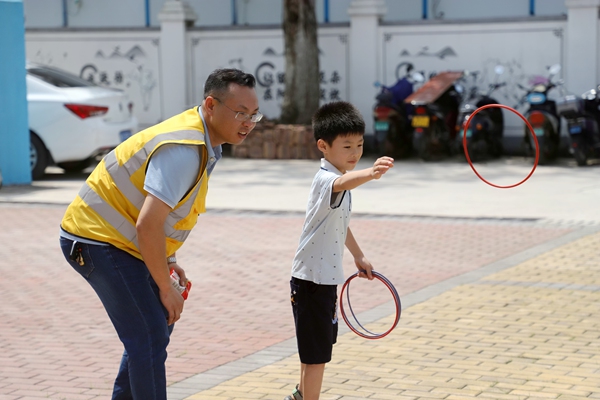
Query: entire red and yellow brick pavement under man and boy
point(497, 309)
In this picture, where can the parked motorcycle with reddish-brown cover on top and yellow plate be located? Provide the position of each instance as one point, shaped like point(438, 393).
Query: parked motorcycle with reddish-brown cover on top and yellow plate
point(436, 110)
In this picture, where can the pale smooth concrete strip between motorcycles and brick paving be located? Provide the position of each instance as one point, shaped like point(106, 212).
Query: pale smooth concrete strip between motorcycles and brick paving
point(561, 192)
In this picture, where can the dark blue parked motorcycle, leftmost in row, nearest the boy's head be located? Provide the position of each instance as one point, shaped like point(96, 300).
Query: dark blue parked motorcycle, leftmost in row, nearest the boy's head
point(393, 136)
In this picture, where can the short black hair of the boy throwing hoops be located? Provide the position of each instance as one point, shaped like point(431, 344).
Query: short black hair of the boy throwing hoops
point(338, 118)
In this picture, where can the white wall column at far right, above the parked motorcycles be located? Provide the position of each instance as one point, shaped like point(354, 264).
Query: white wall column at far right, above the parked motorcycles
point(581, 69)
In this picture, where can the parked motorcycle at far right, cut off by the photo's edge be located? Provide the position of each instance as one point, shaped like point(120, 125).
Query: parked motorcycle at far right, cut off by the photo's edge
point(583, 119)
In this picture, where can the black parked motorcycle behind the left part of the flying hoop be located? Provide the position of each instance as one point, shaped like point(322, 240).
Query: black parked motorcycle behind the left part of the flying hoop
point(485, 131)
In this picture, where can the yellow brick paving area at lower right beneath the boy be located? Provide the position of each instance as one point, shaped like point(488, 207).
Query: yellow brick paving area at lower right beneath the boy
point(525, 331)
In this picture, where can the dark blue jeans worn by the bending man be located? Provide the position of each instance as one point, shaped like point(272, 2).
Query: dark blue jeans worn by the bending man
point(131, 299)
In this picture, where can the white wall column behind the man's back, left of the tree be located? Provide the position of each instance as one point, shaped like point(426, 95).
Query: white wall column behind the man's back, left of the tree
point(175, 17)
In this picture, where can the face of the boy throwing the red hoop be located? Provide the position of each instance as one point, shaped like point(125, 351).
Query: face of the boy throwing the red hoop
point(344, 152)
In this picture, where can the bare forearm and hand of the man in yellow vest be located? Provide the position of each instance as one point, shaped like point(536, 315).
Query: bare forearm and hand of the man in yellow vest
point(151, 239)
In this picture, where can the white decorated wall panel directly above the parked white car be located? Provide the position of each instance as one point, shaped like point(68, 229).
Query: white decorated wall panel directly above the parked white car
point(131, 65)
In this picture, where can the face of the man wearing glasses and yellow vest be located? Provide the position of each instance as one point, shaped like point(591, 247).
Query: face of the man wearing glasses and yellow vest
point(225, 128)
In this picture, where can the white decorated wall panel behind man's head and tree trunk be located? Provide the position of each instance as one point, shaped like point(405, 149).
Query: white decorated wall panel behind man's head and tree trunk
point(263, 56)
